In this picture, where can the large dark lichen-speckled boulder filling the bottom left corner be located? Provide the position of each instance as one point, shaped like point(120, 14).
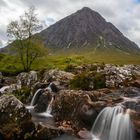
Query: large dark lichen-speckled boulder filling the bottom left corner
point(14, 118)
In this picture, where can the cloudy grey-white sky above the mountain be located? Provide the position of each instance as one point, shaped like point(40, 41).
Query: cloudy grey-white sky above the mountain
point(124, 14)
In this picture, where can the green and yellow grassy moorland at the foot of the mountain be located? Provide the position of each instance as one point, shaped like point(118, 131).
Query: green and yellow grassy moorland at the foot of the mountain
point(11, 64)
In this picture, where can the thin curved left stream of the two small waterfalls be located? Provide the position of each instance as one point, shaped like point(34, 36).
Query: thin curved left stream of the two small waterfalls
point(36, 96)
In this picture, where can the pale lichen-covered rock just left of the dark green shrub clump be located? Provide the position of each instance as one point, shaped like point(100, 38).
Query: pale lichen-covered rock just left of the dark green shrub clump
point(59, 78)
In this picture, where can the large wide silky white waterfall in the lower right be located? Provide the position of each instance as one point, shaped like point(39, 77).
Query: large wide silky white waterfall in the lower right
point(113, 124)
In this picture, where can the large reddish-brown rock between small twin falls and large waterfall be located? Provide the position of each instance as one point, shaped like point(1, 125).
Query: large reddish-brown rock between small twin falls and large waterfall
point(76, 106)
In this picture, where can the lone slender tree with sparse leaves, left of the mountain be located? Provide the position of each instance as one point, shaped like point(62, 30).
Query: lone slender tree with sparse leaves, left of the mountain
point(25, 44)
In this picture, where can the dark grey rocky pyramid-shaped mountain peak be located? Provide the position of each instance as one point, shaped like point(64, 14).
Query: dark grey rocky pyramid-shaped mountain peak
point(86, 28)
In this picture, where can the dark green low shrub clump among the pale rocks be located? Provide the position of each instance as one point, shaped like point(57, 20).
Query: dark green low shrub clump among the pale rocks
point(88, 81)
